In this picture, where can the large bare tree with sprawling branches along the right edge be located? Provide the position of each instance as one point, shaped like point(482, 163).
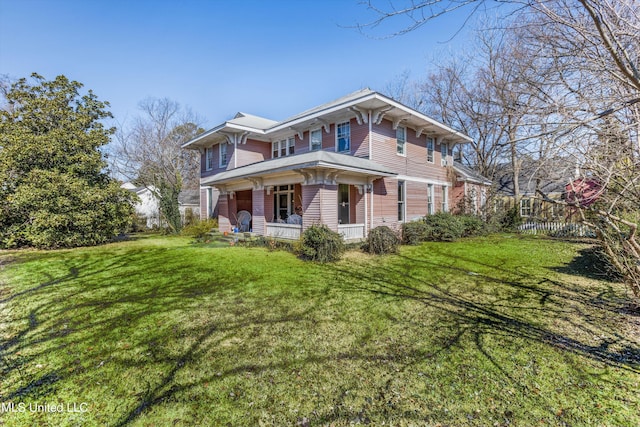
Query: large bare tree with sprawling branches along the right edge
point(586, 105)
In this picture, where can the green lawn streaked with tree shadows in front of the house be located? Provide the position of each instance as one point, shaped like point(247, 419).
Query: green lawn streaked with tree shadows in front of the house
point(501, 330)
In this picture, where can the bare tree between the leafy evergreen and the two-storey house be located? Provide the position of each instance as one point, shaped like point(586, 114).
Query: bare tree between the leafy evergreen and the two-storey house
point(149, 154)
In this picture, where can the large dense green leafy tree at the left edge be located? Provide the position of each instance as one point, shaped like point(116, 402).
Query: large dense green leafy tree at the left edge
point(54, 191)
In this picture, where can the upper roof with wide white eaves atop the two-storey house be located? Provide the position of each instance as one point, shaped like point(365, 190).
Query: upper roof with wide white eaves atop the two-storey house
point(363, 104)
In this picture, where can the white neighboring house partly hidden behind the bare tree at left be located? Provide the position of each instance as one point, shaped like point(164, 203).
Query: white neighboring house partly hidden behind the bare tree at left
point(148, 206)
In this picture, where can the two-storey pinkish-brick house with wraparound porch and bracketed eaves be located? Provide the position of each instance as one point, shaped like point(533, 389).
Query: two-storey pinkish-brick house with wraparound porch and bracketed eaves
point(353, 164)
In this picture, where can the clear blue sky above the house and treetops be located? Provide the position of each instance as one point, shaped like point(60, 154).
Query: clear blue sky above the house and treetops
point(269, 58)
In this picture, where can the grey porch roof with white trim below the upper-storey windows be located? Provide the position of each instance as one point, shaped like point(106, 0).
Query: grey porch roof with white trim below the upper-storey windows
point(300, 162)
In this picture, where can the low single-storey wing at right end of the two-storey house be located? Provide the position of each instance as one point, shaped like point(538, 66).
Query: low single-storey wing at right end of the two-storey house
point(470, 190)
